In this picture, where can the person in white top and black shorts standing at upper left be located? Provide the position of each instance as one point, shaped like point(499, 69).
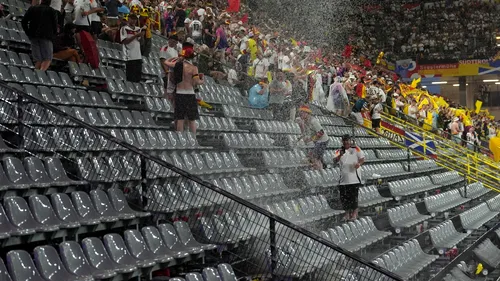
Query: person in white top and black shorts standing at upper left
point(130, 35)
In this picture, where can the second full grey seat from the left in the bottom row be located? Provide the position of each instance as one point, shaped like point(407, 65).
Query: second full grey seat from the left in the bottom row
point(51, 268)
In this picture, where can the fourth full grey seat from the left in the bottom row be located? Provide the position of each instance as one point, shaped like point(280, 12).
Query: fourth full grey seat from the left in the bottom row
point(98, 257)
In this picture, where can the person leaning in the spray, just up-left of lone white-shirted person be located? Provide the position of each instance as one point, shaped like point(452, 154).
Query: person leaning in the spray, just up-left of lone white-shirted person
point(312, 131)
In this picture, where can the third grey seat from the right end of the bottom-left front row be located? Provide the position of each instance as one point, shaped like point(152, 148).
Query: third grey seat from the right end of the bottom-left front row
point(159, 246)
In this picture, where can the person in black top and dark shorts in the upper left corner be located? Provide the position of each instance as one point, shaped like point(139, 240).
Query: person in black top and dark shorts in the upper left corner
point(40, 24)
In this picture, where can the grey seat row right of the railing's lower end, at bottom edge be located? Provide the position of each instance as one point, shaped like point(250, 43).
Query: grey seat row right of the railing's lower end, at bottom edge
point(407, 260)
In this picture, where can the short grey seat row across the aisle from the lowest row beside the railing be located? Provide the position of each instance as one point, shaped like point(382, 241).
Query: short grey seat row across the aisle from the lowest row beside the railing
point(445, 236)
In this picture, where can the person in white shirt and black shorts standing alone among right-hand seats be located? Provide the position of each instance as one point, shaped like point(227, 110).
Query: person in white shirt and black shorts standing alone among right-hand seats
point(350, 158)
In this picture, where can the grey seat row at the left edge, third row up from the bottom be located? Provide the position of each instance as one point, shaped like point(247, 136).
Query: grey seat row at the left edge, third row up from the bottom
point(33, 172)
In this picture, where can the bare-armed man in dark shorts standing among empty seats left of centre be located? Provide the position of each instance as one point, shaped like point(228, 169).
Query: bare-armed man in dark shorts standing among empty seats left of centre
point(185, 79)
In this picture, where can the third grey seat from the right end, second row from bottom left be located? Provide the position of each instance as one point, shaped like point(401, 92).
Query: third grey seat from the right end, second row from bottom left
point(87, 210)
